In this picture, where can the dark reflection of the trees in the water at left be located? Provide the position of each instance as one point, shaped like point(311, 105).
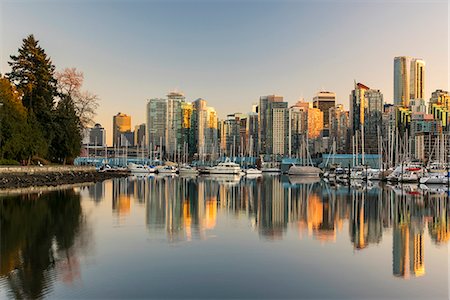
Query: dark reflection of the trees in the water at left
point(41, 238)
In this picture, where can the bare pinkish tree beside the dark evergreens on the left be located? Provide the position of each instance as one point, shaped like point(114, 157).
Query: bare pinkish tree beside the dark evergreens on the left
point(70, 82)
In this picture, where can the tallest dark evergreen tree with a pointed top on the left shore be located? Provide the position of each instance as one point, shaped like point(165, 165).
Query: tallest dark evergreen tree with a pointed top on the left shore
point(32, 72)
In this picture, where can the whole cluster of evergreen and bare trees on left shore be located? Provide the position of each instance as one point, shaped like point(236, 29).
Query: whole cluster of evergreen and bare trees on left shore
point(43, 112)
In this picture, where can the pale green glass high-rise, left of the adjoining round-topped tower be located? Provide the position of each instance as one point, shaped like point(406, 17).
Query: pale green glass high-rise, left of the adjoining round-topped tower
point(156, 124)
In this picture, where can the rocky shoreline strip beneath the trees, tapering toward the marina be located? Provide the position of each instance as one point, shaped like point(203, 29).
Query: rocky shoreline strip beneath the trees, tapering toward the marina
point(52, 176)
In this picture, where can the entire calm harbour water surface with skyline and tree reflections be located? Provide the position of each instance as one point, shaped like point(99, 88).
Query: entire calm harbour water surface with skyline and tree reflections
point(271, 237)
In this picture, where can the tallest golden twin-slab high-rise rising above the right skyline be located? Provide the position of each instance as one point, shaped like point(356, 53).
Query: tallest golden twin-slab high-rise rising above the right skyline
point(409, 80)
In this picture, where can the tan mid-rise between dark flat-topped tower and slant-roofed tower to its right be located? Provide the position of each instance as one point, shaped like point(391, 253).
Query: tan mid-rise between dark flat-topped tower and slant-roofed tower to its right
point(339, 124)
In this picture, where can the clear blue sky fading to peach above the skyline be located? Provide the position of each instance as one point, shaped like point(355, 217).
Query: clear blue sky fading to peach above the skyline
point(229, 52)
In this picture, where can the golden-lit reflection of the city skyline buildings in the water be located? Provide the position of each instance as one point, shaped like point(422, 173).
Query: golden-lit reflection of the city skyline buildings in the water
point(186, 208)
